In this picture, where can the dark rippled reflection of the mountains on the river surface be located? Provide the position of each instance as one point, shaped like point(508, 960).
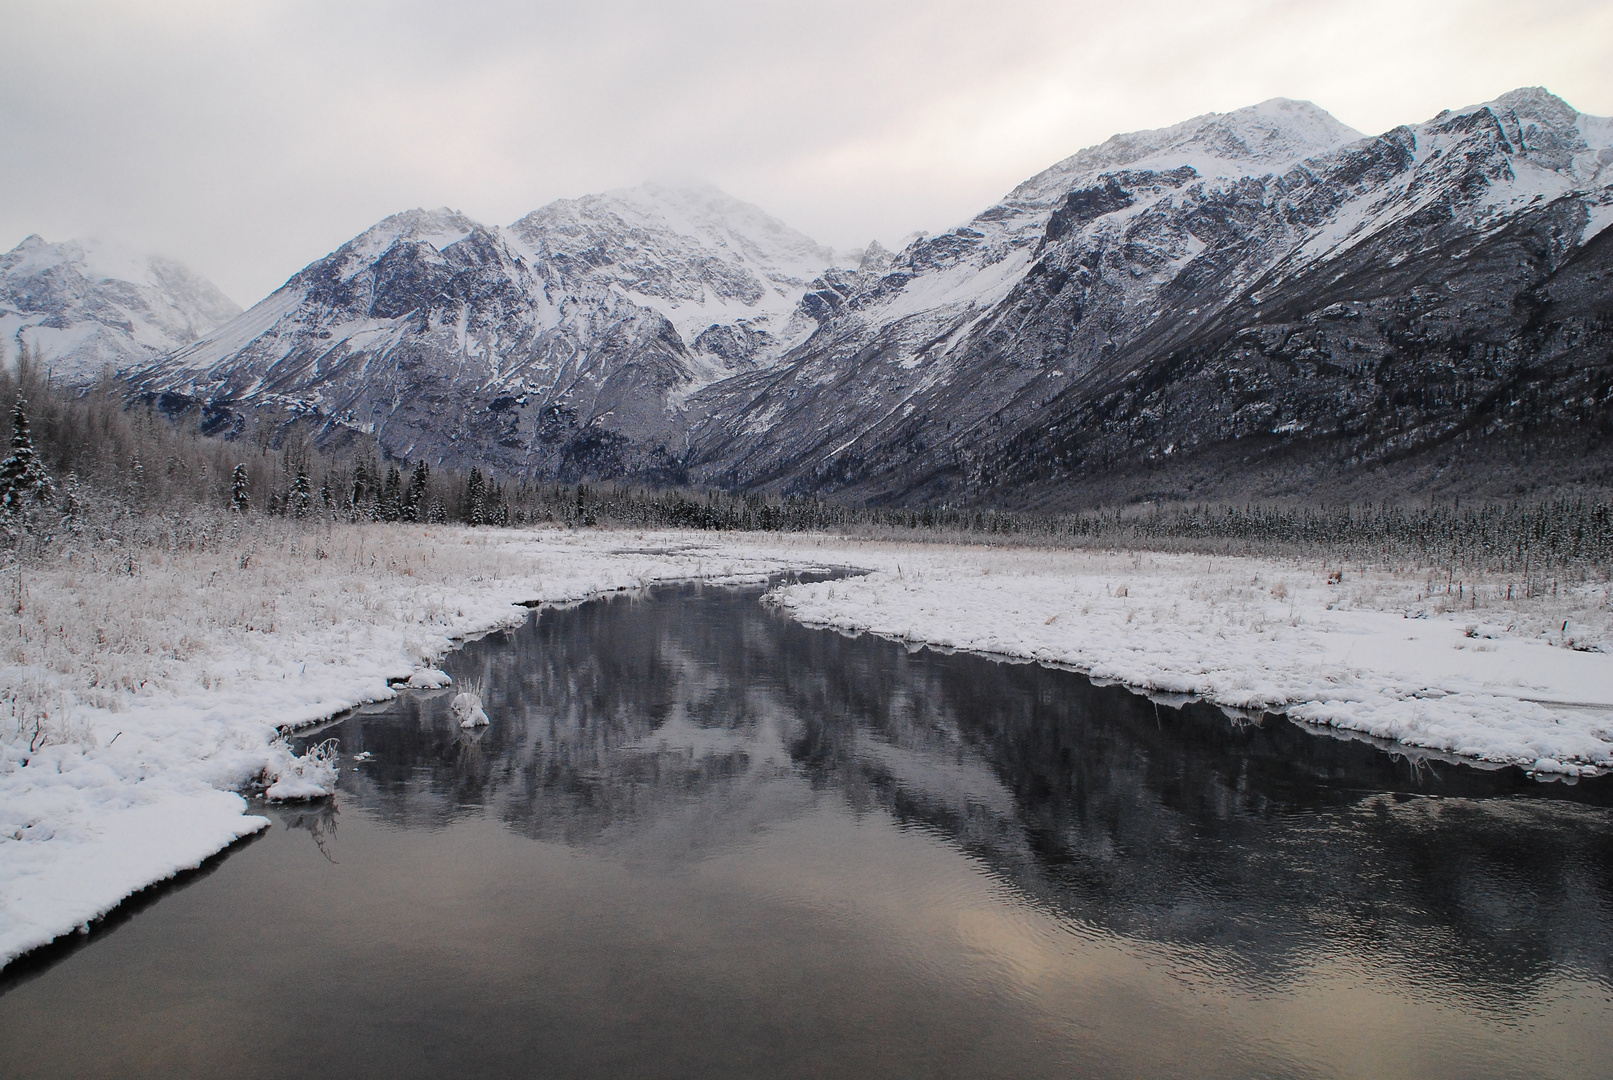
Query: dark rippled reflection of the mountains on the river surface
point(1175, 825)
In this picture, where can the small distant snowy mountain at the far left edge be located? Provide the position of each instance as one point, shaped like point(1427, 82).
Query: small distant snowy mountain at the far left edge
point(90, 307)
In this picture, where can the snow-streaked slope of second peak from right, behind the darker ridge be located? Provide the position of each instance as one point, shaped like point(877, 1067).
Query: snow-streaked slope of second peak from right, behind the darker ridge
point(893, 334)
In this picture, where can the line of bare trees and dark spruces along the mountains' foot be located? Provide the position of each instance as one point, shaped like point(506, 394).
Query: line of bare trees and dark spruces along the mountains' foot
point(73, 451)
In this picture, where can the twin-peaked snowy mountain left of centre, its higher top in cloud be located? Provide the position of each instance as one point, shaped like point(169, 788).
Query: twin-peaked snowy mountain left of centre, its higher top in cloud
point(559, 347)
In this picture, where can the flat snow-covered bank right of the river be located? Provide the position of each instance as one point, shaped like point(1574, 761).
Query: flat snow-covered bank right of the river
point(1377, 654)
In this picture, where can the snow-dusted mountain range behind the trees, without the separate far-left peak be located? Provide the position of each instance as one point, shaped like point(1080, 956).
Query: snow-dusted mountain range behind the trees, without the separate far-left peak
point(1259, 302)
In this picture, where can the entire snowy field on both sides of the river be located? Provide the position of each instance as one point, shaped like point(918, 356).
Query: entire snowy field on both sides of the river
point(149, 689)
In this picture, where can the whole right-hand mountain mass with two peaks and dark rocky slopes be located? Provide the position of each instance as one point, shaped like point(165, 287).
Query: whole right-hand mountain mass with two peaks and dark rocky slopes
point(1361, 302)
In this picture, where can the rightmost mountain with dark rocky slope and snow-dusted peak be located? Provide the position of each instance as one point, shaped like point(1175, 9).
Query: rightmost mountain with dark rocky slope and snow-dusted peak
point(1453, 297)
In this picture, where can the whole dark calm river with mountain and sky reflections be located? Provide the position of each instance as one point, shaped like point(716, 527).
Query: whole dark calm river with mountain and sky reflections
point(701, 841)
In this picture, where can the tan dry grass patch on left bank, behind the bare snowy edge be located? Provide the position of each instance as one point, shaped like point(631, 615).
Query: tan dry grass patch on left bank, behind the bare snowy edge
point(107, 621)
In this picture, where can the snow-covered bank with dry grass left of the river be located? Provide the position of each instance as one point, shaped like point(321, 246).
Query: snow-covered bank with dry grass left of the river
point(146, 699)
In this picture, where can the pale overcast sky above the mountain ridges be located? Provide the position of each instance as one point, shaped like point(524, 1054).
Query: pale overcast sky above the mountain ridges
point(249, 138)
